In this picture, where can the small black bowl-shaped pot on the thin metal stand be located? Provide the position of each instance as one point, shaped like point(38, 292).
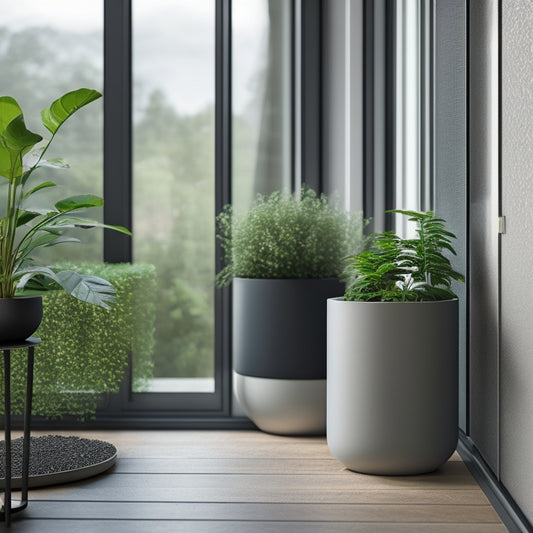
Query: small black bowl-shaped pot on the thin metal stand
point(19, 317)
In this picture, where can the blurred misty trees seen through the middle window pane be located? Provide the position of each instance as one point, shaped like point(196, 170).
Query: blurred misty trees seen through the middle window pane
point(174, 230)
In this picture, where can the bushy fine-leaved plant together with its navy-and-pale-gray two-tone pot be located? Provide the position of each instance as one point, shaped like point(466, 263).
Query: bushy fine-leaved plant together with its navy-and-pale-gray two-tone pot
point(284, 256)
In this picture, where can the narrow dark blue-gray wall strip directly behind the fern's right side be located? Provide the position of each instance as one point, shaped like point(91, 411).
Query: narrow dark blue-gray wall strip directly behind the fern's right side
point(450, 152)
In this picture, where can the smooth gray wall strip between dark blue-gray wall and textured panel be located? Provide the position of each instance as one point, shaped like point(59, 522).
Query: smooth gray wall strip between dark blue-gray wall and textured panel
point(484, 238)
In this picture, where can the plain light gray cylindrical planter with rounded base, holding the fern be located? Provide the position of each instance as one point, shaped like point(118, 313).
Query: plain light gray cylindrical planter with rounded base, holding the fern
point(392, 393)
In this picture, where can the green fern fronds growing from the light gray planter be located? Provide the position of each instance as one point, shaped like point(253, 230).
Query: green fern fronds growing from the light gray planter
point(392, 269)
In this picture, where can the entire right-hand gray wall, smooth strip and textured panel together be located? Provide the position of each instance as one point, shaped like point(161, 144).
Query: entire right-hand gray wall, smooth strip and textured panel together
point(501, 297)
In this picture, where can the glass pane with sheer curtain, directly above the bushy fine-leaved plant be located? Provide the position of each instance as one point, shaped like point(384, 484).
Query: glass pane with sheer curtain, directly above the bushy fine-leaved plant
point(261, 87)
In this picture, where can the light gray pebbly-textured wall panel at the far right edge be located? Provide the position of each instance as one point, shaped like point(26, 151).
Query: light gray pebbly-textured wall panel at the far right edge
point(516, 358)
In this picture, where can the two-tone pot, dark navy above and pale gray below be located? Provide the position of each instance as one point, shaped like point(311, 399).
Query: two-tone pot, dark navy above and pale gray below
point(279, 352)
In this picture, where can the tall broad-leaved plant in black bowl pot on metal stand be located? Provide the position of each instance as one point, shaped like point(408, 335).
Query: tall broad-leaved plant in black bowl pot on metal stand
point(24, 228)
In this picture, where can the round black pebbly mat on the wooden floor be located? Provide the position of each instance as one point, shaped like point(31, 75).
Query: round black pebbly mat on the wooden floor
point(55, 459)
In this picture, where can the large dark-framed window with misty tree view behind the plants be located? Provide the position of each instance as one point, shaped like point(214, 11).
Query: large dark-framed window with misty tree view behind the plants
point(165, 150)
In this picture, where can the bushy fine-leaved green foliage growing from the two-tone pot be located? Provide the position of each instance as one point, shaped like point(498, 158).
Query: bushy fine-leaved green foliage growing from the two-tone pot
point(288, 236)
